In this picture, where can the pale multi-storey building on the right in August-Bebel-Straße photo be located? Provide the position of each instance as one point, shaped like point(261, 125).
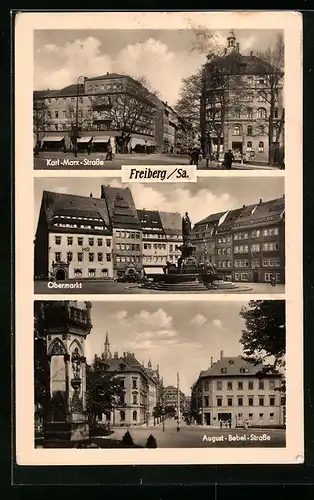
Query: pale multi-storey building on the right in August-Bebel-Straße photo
point(230, 392)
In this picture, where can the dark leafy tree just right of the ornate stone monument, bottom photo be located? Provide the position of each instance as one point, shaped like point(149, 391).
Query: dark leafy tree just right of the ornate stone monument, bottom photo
point(104, 390)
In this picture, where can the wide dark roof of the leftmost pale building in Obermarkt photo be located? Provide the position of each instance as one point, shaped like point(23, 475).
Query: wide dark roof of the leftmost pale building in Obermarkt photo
point(61, 204)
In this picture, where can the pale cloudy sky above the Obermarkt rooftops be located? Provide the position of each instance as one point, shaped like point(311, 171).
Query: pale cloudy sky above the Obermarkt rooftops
point(200, 199)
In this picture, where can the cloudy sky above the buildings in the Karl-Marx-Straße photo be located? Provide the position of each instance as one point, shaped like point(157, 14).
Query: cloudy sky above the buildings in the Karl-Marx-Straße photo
point(163, 57)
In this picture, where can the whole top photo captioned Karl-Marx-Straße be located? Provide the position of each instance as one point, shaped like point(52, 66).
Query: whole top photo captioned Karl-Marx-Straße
point(204, 97)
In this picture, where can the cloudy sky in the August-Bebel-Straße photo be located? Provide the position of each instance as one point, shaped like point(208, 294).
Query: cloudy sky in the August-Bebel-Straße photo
point(179, 339)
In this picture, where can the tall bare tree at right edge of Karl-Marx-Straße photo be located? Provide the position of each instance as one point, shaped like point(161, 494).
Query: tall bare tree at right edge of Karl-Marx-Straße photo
point(273, 74)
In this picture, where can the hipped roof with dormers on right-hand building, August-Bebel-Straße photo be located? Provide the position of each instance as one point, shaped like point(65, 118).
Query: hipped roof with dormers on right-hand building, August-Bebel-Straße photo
point(231, 366)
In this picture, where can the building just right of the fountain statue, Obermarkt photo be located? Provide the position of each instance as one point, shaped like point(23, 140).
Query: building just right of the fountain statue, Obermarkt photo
point(204, 237)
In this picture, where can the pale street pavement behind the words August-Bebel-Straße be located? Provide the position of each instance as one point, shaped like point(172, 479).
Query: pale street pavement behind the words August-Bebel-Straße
point(196, 436)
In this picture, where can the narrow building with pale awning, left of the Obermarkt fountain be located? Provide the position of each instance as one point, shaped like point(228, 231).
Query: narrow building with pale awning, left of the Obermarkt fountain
point(154, 245)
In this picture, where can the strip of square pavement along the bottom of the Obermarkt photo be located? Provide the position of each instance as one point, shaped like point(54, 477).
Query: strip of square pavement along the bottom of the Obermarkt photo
point(113, 287)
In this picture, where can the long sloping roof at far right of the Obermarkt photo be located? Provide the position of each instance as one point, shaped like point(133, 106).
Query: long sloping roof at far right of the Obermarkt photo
point(262, 213)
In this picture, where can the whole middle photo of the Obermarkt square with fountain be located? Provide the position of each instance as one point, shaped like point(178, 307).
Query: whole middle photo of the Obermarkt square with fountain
point(219, 235)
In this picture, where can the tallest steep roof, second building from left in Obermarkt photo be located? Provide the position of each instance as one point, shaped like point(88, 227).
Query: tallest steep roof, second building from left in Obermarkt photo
point(121, 207)
